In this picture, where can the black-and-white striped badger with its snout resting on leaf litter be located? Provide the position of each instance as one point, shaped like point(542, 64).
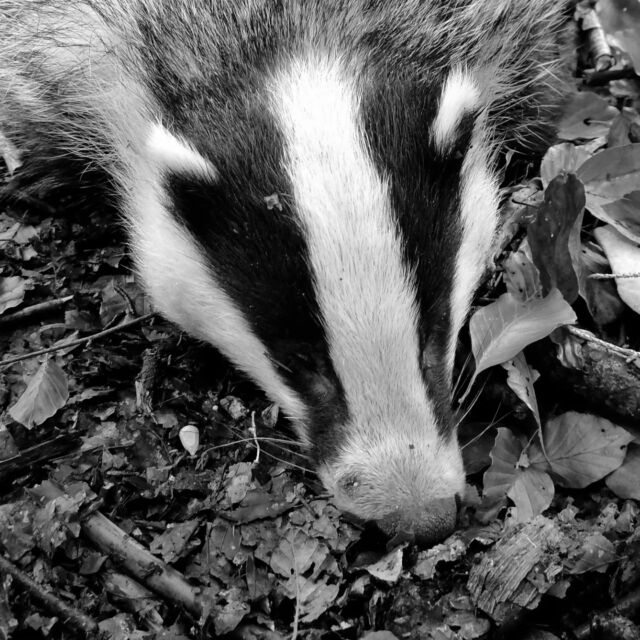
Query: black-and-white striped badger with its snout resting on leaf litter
point(311, 186)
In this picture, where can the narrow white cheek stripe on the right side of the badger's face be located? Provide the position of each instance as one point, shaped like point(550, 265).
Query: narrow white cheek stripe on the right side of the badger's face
point(479, 214)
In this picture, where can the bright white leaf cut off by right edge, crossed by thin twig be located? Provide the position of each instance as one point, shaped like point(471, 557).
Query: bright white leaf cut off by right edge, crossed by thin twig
point(624, 257)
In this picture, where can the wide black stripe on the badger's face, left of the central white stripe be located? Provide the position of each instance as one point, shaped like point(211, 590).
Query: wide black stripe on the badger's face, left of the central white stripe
point(259, 257)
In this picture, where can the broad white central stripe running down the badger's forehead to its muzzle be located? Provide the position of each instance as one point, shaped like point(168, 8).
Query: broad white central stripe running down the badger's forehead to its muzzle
point(365, 294)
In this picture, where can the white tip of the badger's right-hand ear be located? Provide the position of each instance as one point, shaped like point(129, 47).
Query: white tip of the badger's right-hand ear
point(460, 96)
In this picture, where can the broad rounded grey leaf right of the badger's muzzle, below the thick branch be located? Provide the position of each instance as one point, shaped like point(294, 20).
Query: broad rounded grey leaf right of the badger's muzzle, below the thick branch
point(580, 448)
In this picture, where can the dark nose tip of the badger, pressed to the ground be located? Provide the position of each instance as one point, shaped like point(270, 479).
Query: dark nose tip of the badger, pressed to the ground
point(427, 524)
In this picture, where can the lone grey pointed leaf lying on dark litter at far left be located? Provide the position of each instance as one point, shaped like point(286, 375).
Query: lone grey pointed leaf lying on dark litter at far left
point(46, 392)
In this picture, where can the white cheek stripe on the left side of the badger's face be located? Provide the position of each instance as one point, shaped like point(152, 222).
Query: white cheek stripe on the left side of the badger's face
point(185, 291)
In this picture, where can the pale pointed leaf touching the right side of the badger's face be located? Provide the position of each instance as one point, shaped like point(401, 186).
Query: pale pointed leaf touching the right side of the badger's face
point(503, 328)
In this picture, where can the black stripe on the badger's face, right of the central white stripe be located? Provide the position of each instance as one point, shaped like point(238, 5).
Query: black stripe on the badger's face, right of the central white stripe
point(425, 189)
